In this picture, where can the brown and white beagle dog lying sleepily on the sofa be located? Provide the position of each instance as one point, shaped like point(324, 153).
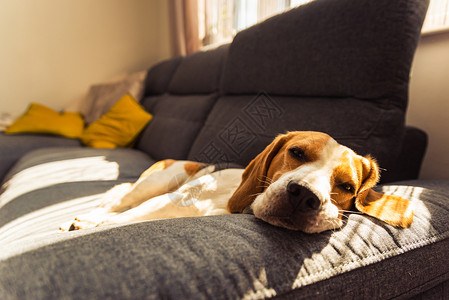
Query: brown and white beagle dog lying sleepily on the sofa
point(301, 181)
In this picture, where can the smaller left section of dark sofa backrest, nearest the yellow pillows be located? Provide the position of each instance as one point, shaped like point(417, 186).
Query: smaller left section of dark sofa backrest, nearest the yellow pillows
point(180, 94)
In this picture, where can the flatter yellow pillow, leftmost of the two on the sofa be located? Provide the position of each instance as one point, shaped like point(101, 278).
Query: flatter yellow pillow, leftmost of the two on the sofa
point(41, 119)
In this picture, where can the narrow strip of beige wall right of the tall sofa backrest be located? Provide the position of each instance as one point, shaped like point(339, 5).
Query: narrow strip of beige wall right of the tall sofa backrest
point(429, 101)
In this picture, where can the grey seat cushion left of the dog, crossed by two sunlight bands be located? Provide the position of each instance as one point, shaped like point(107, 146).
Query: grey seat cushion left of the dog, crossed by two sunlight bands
point(50, 186)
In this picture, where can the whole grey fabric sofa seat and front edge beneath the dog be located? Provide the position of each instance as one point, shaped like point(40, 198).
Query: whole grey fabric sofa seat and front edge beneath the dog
point(219, 257)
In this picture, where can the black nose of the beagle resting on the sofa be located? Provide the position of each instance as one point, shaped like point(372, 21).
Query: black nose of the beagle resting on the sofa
point(302, 198)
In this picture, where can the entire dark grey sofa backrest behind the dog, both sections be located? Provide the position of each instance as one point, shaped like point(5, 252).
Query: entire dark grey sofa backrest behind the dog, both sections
point(340, 67)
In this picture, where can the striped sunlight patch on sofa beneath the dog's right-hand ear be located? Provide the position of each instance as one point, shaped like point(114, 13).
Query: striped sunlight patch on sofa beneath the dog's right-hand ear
point(362, 242)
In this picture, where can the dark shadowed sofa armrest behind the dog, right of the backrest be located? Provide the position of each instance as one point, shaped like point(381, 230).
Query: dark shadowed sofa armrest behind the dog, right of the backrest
point(408, 164)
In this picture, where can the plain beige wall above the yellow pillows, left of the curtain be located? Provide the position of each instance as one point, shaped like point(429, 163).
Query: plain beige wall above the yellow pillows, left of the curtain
point(52, 50)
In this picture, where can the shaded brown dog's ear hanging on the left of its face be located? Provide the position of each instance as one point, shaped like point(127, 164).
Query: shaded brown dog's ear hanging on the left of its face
point(254, 179)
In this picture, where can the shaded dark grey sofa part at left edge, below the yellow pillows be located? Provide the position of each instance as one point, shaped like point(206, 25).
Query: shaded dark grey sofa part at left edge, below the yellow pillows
point(12, 147)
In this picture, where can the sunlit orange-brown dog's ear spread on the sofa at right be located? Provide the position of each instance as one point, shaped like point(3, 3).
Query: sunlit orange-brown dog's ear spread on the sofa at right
point(393, 210)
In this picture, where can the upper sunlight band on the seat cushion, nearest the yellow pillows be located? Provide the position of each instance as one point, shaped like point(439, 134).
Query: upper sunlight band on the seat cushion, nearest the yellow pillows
point(95, 168)
